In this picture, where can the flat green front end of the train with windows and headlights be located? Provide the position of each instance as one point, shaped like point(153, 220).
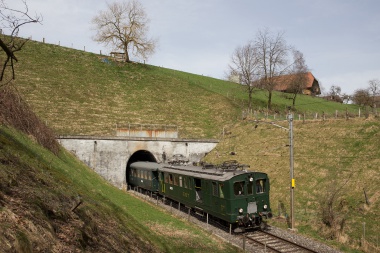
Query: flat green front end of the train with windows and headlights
point(251, 201)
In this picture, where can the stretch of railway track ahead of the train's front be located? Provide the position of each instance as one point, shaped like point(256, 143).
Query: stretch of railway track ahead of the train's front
point(273, 243)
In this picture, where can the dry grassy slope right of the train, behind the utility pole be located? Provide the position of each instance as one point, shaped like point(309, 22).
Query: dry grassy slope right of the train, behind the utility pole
point(330, 157)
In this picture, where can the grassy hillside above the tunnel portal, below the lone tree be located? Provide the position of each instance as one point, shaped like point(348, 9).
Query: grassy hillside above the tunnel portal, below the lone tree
point(77, 92)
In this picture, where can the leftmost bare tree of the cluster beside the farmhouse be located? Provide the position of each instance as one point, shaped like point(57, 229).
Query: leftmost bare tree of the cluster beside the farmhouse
point(244, 67)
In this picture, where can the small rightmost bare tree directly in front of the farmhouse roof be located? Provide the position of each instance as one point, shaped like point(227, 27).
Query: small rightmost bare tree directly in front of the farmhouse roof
point(299, 77)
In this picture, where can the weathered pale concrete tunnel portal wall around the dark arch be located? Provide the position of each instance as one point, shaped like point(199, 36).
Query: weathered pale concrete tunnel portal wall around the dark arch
point(110, 157)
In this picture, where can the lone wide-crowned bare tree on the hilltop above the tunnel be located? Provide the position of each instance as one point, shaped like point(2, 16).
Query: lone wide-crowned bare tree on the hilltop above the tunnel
point(124, 26)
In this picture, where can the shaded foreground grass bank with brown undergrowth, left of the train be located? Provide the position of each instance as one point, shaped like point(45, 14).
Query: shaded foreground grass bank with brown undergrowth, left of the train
point(38, 192)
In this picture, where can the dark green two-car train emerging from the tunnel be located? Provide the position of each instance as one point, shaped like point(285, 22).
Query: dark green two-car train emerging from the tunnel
point(227, 192)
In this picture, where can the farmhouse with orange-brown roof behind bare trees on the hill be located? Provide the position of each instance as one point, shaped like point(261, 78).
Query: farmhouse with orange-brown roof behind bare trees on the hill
point(286, 83)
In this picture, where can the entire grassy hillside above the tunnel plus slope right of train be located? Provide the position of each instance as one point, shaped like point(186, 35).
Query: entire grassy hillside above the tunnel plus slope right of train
point(76, 92)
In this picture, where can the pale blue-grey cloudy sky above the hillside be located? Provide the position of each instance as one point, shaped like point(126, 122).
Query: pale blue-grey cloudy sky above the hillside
point(339, 38)
